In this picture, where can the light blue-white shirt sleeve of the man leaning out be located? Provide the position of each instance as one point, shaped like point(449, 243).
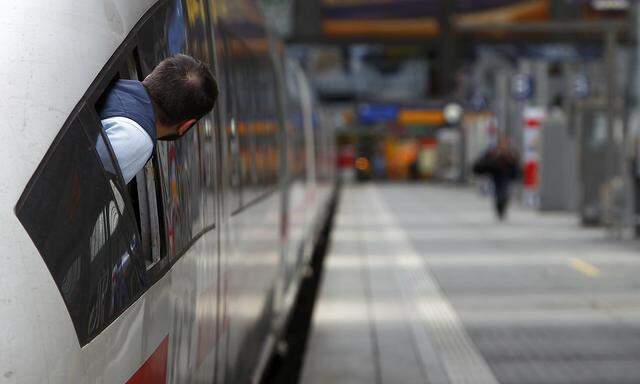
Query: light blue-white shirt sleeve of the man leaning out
point(131, 145)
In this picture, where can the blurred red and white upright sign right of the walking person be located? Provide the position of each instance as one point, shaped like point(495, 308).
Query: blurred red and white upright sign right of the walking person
point(533, 118)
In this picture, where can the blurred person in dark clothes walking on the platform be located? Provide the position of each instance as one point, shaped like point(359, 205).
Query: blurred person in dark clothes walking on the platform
point(502, 164)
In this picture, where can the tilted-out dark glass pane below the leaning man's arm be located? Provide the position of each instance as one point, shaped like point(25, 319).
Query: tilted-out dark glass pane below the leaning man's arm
point(88, 241)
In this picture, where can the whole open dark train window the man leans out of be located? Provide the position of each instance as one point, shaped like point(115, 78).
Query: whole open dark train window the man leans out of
point(102, 240)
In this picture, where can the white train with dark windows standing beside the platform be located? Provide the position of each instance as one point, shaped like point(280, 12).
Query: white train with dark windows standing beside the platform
point(188, 273)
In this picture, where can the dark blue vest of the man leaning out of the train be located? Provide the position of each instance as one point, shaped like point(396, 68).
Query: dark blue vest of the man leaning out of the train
point(129, 98)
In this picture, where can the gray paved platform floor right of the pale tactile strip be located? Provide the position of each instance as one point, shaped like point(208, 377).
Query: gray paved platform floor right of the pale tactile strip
point(533, 317)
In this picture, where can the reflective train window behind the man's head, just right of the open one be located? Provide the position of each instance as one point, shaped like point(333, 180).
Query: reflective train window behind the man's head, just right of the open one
point(186, 167)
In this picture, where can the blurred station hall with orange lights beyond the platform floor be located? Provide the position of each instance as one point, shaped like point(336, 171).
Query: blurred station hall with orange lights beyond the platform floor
point(419, 89)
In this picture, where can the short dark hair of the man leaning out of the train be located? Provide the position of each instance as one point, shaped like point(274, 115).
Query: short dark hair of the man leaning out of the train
point(181, 88)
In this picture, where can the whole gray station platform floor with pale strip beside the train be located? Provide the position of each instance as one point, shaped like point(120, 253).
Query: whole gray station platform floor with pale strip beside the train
point(423, 285)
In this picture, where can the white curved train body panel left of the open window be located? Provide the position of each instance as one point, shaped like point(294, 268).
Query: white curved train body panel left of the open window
point(40, 342)
